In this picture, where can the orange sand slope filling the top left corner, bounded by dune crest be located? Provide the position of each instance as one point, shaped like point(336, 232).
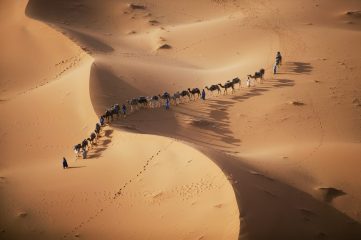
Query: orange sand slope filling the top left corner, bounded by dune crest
point(43, 56)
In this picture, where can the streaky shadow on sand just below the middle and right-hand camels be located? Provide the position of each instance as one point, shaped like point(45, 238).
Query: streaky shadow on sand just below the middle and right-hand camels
point(208, 119)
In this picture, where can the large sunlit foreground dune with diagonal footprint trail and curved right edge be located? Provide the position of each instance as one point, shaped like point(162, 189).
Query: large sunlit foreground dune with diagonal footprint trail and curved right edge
point(190, 197)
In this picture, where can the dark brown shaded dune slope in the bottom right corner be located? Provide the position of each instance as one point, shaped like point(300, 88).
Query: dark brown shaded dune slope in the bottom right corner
point(270, 209)
